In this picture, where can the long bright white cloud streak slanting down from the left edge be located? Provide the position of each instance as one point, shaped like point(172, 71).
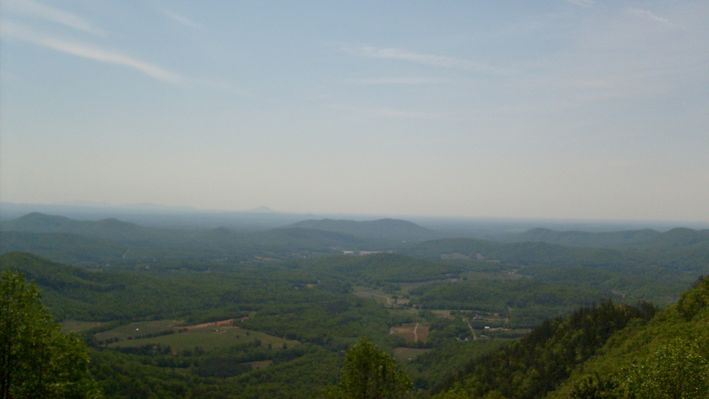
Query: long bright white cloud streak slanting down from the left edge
point(86, 51)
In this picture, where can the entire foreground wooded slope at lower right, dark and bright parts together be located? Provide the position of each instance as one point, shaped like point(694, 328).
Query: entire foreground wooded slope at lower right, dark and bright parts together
point(607, 351)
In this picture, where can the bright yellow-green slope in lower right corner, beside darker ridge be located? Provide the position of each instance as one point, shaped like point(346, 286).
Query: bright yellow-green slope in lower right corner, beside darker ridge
point(667, 357)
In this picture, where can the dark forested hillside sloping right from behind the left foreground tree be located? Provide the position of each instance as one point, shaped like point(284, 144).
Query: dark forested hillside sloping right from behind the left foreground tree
point(89, 294)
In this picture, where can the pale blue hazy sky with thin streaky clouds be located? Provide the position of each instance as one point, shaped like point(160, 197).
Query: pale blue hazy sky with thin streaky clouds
point(540, 109)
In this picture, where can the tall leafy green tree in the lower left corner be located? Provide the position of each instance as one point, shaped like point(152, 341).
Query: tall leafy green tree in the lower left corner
point(36, 359)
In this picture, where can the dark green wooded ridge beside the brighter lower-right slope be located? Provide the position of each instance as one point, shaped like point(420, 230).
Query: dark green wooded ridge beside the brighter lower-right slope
point(543, 359)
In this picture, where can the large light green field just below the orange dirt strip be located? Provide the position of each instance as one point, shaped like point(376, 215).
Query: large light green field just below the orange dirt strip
point(207, 338)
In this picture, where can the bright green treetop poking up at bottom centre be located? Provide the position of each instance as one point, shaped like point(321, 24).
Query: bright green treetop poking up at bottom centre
point(370, 373)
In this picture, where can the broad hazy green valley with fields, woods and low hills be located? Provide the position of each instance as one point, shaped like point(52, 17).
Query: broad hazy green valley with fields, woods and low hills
point(229, 309)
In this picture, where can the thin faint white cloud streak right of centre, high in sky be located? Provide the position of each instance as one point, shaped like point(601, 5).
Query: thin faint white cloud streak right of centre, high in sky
point(442, 61)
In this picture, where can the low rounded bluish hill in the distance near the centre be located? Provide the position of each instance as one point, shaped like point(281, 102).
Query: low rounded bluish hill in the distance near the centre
point(384, 229)
